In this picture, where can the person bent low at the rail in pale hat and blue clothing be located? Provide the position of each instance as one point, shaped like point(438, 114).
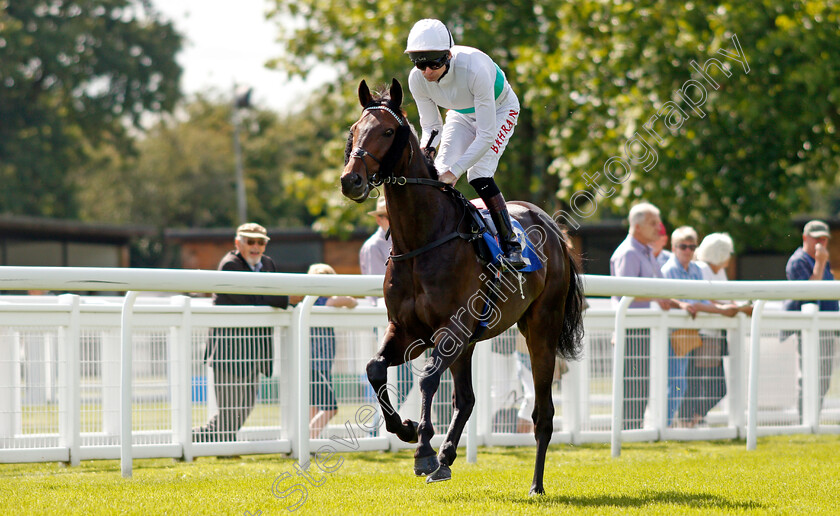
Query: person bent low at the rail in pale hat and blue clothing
point(324, 404)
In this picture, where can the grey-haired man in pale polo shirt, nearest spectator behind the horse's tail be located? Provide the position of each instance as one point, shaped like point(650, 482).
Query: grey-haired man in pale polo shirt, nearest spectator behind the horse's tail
point(634, 258)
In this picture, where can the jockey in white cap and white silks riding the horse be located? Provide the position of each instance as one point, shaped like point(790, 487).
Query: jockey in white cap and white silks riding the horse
point(482, 112)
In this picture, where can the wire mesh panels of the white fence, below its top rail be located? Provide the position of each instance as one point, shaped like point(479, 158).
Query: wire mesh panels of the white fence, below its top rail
point(239, 383)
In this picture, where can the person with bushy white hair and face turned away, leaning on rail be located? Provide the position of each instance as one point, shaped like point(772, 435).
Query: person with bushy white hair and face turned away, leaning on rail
point(706, 384)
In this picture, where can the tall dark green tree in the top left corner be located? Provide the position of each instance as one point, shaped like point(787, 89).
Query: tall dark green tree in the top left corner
point(74, 75)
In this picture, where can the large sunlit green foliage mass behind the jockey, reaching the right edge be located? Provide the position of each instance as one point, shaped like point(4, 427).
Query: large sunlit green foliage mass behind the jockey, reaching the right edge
point(590, 73)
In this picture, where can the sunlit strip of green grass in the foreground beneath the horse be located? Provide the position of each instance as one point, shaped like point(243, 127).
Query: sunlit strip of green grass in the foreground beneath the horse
point(785, 475)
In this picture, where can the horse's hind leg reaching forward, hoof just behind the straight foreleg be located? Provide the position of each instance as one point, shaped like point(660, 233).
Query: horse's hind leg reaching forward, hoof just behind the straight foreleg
point(464, 402)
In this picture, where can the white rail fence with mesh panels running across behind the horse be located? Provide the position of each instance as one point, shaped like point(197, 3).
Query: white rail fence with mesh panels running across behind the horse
point(93, 377)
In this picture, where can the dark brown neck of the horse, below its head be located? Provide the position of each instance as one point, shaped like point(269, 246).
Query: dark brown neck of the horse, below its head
point(420, 213)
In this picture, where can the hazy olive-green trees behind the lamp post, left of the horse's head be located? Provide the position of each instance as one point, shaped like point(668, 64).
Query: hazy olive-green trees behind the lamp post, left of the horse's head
point(183, 174)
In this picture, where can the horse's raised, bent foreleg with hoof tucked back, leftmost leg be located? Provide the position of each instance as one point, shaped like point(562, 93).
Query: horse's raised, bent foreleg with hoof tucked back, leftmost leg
point(392, 352)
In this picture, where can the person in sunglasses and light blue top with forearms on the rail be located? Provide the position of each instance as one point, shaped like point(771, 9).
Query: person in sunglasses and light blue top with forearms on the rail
point(680, 266)
